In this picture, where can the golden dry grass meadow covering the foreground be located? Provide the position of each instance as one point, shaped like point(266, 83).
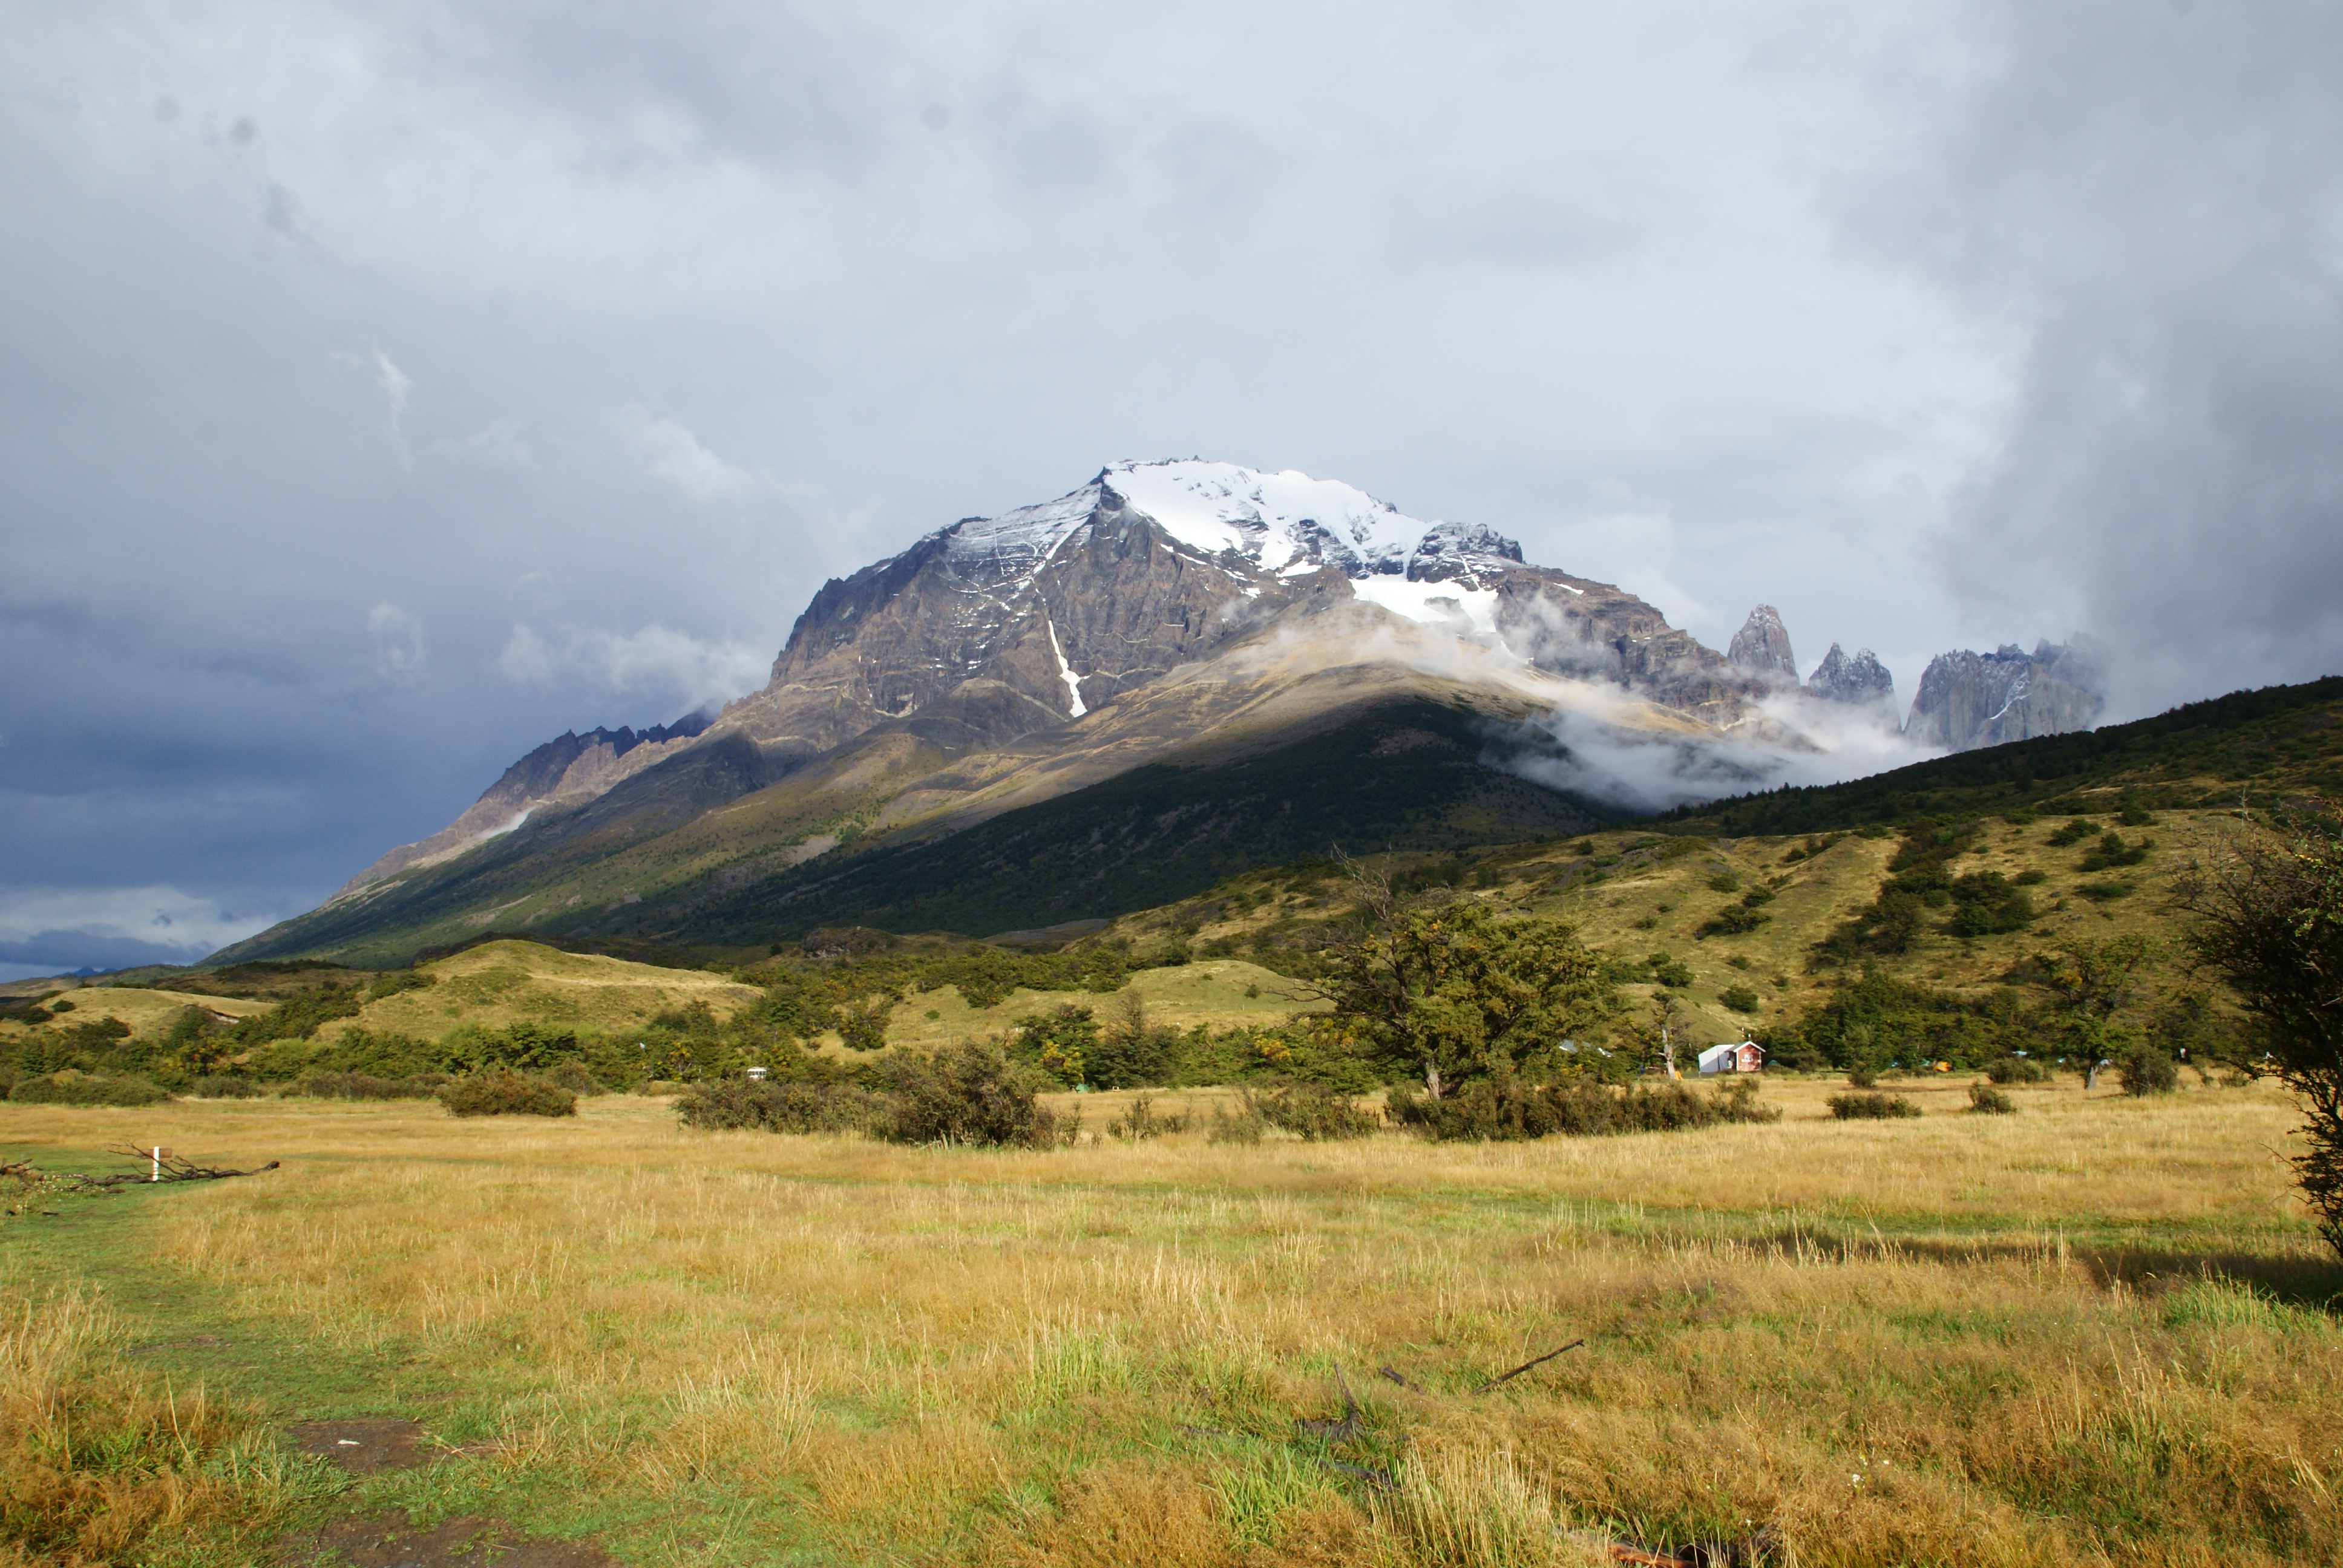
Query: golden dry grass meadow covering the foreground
point(2089, 1332)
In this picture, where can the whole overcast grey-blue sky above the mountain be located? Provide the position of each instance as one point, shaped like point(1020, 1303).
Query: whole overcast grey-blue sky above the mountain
point(390, 388)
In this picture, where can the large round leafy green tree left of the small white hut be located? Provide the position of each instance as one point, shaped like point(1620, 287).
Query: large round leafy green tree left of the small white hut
point(1454, 993)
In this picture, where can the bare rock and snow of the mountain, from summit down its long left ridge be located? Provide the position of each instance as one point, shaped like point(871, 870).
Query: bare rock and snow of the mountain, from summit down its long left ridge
point(997, 629)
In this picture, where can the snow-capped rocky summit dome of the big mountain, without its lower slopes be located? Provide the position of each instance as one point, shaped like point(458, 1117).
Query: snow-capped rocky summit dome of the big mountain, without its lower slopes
point(1048, 613)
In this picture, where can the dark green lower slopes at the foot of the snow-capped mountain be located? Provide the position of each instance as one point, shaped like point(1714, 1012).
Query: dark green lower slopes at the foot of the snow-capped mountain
point(1407, 777)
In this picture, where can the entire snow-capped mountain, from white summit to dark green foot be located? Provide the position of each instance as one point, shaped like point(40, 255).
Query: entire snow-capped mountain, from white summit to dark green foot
point(1189, 618)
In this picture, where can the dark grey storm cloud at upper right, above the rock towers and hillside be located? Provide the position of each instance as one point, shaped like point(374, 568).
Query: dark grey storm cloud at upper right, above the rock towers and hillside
point(2152, 198)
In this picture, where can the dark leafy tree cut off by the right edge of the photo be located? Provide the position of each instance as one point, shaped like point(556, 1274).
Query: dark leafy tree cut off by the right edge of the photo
point(2272, 918)
